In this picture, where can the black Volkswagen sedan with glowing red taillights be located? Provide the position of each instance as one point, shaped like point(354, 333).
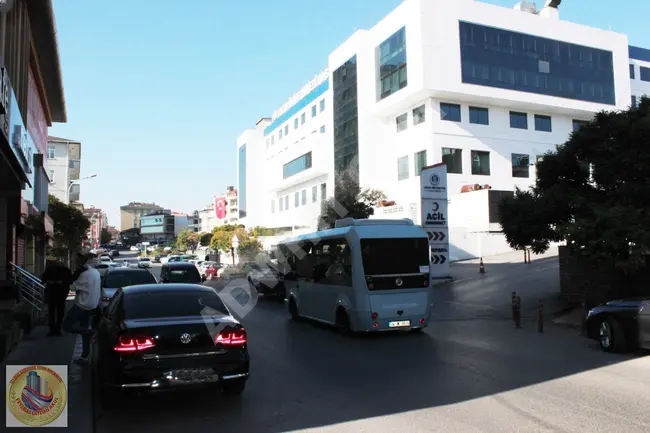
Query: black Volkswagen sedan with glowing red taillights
point(169, 336)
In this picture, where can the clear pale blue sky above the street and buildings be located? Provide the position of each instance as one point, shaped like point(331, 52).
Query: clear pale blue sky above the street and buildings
point(158, 91)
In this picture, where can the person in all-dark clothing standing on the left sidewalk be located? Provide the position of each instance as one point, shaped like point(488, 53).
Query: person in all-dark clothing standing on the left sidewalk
point(57, 279)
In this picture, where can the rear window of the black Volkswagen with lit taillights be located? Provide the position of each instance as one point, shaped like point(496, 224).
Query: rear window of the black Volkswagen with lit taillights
point(182, 303)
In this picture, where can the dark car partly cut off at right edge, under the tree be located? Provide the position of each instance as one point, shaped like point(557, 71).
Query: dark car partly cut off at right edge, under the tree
point(620, 325)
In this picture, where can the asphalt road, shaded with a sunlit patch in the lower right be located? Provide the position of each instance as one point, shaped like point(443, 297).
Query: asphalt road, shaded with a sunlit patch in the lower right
point(466, 373)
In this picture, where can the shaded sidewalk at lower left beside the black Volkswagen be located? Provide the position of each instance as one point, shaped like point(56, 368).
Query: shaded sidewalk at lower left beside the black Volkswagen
point(39, 349)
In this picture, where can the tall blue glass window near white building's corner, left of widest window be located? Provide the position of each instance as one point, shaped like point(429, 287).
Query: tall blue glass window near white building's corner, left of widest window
point(392, 64)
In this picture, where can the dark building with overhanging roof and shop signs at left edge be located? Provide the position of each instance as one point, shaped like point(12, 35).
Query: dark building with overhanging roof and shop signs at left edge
point(31, 99)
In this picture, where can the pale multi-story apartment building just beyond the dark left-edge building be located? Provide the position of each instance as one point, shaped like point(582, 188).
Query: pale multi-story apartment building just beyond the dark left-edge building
point(64, 165)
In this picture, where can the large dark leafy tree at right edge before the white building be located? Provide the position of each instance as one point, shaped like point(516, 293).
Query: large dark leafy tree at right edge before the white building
point(591, 191)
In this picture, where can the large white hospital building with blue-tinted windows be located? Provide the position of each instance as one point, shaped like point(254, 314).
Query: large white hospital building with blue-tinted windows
point(482, 88)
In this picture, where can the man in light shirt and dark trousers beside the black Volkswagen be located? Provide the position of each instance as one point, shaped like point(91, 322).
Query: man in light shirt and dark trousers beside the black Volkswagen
point(87, 286)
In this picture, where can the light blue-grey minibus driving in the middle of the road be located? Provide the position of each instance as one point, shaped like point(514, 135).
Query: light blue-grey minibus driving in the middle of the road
point(362, 276)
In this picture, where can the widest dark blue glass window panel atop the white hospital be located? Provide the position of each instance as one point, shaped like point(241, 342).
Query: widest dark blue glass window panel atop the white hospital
point(504, 59)
